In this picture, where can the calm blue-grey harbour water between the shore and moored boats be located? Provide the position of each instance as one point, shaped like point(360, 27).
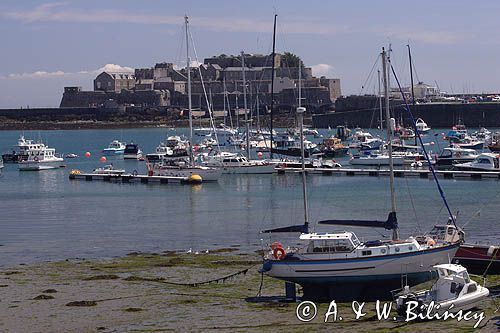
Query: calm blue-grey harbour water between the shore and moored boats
point(45, 216)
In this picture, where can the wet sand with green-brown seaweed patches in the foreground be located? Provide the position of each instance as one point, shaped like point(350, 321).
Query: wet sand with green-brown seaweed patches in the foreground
point(146, 293)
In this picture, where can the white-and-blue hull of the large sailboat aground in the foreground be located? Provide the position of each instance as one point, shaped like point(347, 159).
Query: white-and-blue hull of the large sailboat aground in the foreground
point(360, 279)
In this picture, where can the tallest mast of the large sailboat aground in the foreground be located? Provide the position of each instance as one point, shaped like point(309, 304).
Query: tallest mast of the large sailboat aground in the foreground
point(388, 125)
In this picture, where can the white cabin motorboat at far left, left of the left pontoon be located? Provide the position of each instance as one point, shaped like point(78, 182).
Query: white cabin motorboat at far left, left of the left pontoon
point(40, 157)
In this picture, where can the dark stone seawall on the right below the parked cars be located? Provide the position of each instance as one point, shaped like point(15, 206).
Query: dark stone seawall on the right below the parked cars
point(434, 114)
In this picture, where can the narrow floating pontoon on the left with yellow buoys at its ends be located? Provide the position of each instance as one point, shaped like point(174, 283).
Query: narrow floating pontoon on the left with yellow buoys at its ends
point(130, 178)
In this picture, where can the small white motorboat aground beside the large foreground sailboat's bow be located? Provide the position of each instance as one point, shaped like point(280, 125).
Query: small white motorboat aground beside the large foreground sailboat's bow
point(454, 289)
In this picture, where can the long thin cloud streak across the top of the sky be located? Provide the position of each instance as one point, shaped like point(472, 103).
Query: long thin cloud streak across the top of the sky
point(60, 12)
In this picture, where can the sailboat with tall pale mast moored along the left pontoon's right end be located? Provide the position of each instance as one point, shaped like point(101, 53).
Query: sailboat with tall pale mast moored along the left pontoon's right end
point(182, 168)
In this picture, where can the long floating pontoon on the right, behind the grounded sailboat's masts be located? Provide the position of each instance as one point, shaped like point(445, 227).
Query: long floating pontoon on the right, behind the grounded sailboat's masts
point(401, 173)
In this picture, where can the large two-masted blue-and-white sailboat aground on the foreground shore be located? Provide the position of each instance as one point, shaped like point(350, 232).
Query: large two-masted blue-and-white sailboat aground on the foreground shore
point(338, 266)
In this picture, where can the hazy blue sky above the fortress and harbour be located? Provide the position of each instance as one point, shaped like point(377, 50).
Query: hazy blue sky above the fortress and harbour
point(49, 45)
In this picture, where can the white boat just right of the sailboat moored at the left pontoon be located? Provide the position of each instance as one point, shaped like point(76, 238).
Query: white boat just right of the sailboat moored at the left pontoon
point(234, 163)
